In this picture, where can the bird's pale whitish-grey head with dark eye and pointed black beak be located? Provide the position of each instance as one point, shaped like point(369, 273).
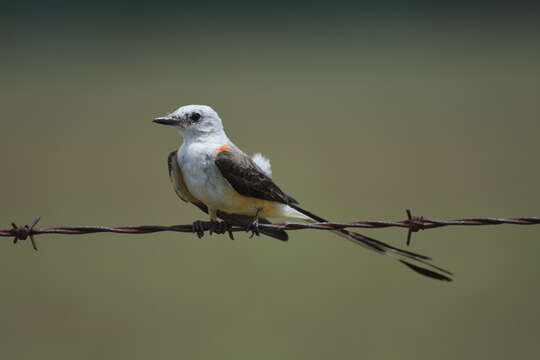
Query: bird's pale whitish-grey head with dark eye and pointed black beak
point(193, 121)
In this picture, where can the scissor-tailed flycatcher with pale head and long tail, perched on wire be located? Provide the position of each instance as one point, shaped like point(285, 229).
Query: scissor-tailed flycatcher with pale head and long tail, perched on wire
point(212, 173)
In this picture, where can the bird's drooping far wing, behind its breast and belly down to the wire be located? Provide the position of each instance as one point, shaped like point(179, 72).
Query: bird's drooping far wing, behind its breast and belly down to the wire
point(177, 180)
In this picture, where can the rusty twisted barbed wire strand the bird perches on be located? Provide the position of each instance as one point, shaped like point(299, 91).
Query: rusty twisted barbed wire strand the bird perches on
point(413, 224)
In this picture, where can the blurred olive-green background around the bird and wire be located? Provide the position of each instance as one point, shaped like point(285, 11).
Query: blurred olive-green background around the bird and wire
point(365, 110)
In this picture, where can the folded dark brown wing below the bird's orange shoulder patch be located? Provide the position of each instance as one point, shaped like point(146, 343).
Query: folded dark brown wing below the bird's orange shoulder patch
point(248, 179)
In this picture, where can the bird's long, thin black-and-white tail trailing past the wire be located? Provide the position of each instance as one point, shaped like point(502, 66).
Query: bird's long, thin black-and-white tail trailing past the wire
point(413, 261)
